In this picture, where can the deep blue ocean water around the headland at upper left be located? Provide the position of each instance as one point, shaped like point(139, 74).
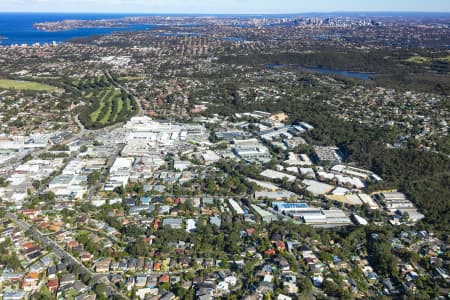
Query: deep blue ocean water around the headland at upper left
point(17, 28)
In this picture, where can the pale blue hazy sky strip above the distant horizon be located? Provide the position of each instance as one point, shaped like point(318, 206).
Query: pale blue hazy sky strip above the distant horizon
point(222, 6)
